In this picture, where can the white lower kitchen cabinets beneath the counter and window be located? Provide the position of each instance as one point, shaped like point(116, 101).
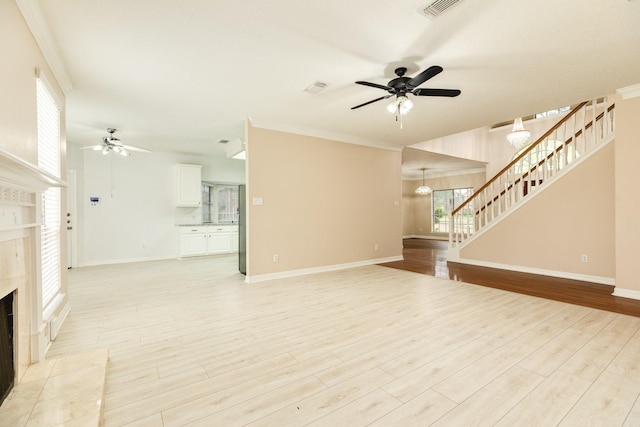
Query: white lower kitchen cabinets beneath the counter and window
point(207, 240)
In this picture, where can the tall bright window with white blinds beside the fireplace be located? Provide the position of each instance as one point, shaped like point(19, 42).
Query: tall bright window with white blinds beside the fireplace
point(48, 113)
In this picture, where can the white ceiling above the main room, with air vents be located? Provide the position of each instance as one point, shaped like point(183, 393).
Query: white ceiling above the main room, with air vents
point(181, 75)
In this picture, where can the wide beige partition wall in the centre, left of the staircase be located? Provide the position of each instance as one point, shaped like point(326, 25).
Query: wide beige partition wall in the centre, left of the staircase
point(325, 202)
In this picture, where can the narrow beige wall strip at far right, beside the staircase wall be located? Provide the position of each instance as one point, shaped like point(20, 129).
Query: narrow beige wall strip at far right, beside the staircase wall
point(627, 201)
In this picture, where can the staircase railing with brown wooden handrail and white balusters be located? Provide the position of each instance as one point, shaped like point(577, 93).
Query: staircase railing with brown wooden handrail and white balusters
point(582, 131)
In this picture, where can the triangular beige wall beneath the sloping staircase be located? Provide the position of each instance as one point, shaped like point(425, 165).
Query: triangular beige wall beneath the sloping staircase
point(575, 216)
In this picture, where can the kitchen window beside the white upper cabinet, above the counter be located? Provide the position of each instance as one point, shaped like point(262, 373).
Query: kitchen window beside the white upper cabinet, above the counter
point(220, 203)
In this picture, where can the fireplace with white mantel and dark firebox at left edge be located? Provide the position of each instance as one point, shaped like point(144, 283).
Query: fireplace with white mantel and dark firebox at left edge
point(24, 327)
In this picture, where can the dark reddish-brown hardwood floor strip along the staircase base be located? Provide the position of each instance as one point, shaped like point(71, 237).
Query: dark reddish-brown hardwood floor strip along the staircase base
point(430, 257)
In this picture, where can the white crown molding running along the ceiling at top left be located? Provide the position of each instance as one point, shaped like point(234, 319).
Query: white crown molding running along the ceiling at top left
point(32, 14)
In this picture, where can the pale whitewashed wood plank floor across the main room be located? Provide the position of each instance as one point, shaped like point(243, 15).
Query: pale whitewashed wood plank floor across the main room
point(191, 344)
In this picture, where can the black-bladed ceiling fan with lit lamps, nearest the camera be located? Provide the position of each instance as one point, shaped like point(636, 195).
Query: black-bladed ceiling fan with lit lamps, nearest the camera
point(401, 86)
